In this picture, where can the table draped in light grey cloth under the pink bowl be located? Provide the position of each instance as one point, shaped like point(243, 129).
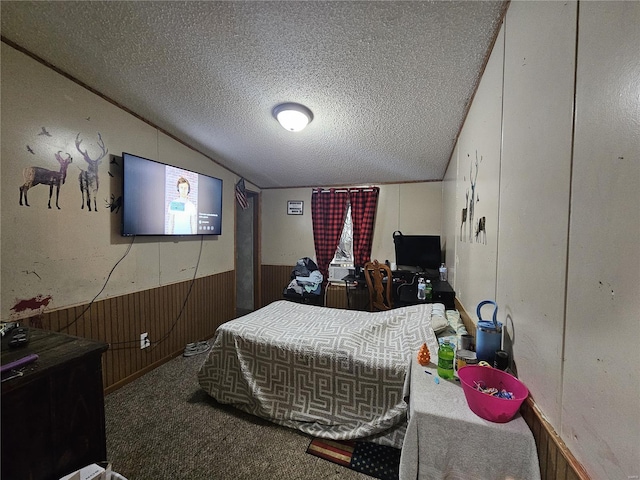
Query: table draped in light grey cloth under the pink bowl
point(445, 439)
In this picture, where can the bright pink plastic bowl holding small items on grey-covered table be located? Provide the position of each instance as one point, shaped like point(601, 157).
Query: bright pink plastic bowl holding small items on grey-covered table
point(494, 409)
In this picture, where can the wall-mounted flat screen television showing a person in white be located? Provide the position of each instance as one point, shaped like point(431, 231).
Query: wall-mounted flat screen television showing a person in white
point(161, 199)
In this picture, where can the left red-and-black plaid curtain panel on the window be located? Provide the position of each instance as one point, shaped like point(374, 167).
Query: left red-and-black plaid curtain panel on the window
point(328, 208)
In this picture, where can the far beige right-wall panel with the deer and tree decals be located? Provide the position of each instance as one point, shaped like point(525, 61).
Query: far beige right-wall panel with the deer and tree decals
point(477, 176)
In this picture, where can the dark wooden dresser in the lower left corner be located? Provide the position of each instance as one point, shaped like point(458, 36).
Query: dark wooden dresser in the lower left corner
point(53, 415)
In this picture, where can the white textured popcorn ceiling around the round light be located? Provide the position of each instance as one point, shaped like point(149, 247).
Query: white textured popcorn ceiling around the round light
point(388, 82)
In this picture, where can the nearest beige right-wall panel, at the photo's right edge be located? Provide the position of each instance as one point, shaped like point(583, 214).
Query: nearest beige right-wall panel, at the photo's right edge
point(603, 287)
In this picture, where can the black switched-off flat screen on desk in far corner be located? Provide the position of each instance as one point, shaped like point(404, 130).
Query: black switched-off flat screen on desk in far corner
point(420, 253)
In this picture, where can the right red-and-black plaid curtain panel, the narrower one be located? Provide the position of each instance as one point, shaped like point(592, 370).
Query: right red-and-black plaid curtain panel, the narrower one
point(364, 203)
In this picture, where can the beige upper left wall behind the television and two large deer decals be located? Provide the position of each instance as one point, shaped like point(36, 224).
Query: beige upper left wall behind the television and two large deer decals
point(68, 253)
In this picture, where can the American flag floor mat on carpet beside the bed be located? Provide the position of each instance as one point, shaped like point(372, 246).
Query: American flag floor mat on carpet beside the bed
point(378, 461)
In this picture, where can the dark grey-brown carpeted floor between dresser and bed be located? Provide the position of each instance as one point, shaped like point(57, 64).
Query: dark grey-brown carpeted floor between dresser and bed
point(164, 427)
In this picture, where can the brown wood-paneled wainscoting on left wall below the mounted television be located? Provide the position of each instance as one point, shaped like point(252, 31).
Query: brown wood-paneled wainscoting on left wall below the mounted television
point(172, 315)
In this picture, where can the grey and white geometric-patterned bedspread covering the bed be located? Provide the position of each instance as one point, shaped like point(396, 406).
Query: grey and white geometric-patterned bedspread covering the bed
point(329, 372)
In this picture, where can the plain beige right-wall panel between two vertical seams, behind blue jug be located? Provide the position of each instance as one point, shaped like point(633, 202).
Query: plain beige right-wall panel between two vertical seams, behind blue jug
point(538, 96)
